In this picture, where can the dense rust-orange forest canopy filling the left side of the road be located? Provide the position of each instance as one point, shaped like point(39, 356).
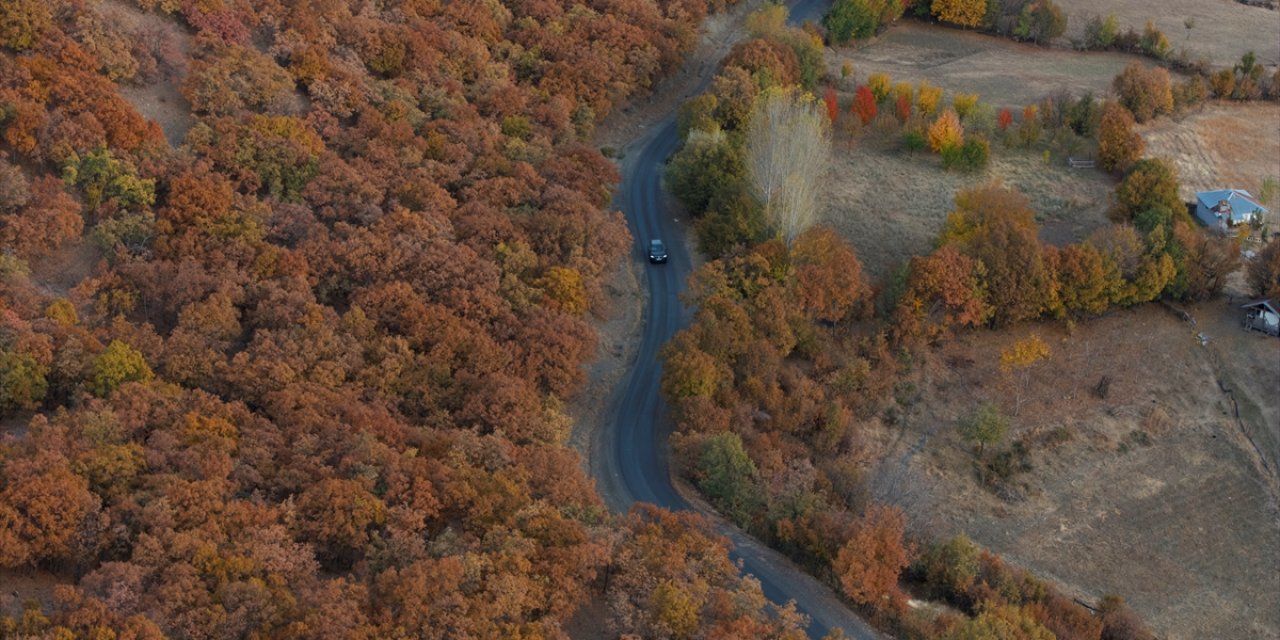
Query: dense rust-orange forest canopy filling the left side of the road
point(301, 376)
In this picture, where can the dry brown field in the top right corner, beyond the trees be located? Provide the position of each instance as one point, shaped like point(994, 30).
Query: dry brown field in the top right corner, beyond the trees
point(1223, 31)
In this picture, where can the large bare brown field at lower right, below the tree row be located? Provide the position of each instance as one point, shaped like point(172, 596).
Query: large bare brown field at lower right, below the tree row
point(1156, 496)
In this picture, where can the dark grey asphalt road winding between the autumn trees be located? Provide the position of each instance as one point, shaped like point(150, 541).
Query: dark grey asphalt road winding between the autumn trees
point(632, 454)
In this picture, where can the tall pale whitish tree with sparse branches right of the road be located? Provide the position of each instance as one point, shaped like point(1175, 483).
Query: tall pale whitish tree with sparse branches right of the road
point(789, 149)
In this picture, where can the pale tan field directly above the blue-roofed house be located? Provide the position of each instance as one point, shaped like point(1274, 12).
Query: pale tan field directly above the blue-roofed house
point(1224, 145)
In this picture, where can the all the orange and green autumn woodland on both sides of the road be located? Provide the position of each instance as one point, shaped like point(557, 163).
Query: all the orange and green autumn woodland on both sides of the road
point(300, 364)
